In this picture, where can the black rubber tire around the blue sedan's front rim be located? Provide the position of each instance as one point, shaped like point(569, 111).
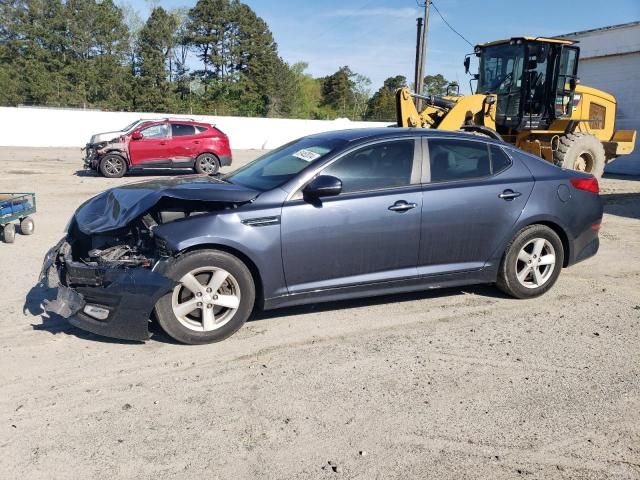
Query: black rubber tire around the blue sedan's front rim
point(192, 262)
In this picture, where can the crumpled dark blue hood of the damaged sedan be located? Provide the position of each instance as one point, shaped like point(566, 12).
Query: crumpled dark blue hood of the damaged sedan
point(117, 207)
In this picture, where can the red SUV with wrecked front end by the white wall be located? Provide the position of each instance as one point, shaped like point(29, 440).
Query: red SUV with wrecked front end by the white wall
point(165, 144)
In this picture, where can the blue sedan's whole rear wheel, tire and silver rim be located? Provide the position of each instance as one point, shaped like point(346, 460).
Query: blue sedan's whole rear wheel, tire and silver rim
point(531, 263)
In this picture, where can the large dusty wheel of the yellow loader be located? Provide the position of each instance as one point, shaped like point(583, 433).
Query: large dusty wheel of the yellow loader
point(581, 152)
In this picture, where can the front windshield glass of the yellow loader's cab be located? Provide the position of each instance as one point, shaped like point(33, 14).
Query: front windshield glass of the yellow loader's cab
point(501, 69)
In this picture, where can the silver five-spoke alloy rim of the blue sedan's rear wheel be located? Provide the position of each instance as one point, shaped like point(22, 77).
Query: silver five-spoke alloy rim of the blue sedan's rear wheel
point(536, 263)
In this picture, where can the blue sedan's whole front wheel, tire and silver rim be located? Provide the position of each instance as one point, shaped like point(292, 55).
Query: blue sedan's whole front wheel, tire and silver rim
point(213, 299)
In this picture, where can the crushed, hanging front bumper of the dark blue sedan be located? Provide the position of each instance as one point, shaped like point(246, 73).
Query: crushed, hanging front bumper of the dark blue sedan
point(125, 296)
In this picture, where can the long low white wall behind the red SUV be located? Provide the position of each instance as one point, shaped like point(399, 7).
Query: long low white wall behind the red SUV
point(43, 127)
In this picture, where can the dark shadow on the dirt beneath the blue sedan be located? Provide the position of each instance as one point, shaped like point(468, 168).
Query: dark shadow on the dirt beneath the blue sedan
point(55, 324)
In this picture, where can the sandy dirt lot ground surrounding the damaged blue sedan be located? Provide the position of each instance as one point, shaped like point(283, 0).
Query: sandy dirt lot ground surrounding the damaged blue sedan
point(457, 383)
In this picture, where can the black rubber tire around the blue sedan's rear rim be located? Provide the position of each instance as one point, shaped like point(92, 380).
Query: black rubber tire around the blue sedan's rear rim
point(508, 280)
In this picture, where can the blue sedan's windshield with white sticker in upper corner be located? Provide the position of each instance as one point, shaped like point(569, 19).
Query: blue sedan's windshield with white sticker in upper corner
point(281, 165)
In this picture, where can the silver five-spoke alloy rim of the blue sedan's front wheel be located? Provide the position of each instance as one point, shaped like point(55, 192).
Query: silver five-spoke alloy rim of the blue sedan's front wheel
point(206, 299)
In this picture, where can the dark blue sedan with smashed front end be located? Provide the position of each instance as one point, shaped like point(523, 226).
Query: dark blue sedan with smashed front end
point(331, 216)
